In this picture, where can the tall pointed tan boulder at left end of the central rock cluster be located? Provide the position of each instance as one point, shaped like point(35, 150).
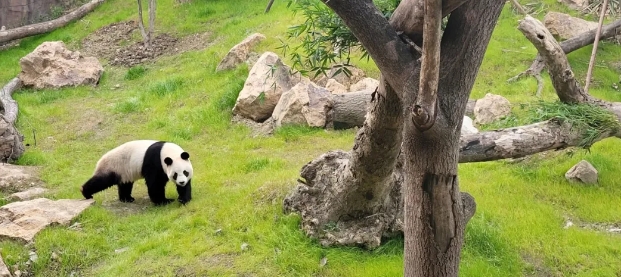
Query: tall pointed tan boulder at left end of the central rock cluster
point(267, 80)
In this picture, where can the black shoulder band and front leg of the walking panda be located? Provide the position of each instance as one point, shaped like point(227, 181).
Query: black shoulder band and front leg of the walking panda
point(154, 175)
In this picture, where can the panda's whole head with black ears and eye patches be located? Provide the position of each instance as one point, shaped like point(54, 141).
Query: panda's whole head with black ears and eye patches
point(178, 166)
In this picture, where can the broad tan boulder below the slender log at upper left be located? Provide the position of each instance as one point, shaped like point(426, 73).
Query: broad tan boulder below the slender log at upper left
point(52, 65)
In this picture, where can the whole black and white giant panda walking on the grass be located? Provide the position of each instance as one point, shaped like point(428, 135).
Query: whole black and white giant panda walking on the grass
point(155, 161)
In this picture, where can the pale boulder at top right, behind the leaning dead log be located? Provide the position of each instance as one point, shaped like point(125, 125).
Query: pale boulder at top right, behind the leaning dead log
point(564, 26)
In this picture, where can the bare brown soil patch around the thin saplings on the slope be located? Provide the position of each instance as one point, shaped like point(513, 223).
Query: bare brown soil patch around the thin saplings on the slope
point(121, 44)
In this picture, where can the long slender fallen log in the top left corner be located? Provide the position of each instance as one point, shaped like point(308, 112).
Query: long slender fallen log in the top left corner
point(44, 27)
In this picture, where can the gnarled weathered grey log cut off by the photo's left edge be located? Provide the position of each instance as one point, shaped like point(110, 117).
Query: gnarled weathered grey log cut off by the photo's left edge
point(11, 141)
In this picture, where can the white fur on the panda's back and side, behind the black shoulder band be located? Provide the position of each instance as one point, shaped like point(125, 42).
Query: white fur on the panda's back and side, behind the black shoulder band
point(126, 160)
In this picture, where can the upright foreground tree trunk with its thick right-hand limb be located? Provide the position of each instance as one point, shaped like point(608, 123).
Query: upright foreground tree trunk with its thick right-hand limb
point(435, 219)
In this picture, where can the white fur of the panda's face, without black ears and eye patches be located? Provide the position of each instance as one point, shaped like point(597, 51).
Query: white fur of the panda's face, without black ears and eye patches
point(179, 165)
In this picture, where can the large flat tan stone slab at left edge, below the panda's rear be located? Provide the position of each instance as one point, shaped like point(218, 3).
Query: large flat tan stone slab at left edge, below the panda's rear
point(23, 220)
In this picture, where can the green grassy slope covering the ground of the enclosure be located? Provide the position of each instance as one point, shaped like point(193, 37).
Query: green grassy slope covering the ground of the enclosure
point(240, 181)
